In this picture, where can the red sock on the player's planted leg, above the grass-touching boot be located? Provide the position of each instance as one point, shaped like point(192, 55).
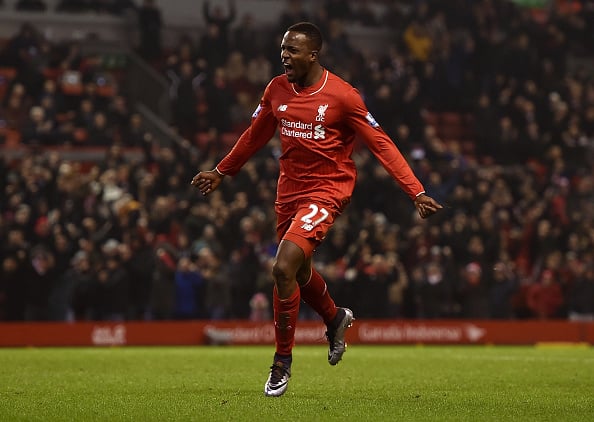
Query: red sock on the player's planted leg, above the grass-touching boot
point(286, 312)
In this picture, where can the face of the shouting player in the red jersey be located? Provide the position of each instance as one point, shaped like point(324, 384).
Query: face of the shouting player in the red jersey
point(297, 56)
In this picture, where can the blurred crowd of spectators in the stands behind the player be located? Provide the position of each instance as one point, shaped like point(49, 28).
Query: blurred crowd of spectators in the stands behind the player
point(128, 239)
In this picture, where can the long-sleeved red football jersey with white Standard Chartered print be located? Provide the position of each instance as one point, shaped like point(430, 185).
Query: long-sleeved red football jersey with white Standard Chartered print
point(317, 126)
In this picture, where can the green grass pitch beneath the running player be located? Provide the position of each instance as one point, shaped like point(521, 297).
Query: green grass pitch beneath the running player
point(225, 383)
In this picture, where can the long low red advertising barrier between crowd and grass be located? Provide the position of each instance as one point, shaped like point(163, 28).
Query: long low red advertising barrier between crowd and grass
point(241, 332)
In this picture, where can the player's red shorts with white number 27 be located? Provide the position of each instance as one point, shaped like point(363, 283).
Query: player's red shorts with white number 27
point(304, 223)
